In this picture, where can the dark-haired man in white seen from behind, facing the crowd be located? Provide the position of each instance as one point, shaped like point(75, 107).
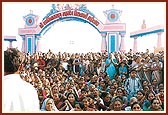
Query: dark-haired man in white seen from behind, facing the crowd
point(18, 95)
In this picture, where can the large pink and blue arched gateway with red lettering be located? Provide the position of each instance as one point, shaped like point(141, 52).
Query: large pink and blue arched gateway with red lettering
point(110, 31)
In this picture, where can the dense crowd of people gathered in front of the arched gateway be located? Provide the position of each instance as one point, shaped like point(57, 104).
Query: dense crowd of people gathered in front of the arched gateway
point(116, 81)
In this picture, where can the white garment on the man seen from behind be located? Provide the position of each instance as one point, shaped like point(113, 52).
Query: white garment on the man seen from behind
point(18, 95)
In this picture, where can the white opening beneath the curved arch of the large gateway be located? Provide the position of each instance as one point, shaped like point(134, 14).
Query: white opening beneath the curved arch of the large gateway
point(71, 37)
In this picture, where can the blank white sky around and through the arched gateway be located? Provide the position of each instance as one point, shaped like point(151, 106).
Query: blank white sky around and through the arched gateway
point(74, 36)
